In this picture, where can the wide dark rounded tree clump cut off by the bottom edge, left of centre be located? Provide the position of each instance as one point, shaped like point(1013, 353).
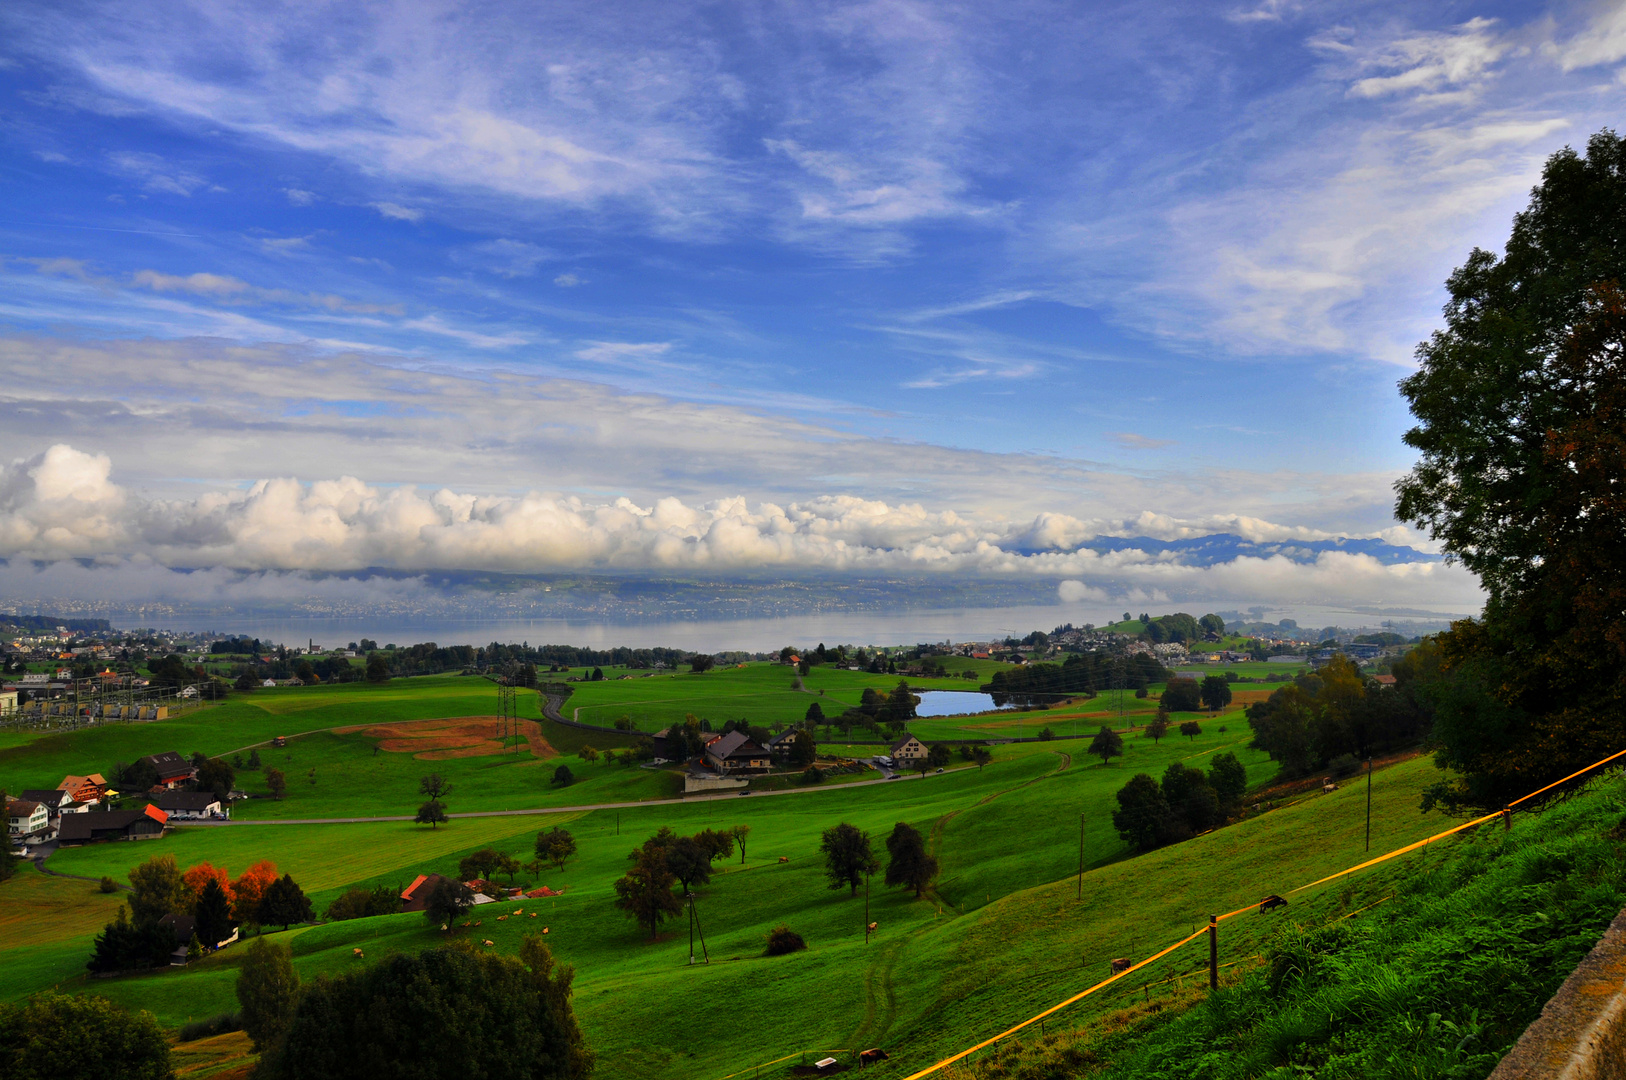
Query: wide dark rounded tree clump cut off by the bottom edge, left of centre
point(443, 1012)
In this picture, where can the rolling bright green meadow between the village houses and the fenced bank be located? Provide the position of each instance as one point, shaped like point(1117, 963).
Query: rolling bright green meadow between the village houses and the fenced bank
point(1009, 928)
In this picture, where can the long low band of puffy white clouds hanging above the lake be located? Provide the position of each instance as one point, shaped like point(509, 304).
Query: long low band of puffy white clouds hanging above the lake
point(64, 503)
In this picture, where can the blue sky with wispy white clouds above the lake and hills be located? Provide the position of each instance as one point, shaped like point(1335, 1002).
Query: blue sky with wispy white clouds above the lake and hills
point(920, 276)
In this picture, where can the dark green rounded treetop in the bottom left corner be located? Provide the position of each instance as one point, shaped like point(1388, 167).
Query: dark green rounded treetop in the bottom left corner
point(59, 1035)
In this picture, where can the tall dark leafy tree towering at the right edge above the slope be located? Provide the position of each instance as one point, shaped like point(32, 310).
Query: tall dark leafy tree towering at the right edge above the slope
point(1521, 403)
